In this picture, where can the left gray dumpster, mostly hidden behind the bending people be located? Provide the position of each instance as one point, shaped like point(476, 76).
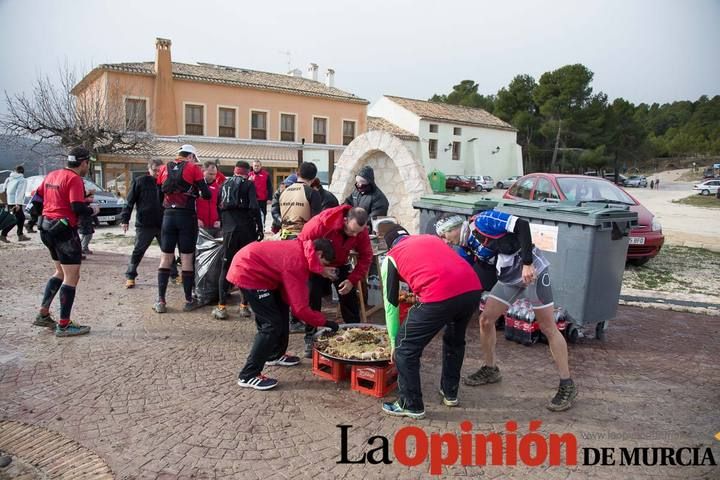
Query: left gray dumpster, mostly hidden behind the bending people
point(434, 207)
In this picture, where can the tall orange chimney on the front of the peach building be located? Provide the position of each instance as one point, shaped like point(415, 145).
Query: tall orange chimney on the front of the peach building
point(163, 112)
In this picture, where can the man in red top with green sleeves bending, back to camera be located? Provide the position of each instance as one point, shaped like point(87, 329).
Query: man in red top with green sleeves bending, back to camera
point(448, 293)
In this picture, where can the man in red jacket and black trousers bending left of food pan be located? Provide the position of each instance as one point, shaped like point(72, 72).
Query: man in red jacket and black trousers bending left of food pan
point(271, 276)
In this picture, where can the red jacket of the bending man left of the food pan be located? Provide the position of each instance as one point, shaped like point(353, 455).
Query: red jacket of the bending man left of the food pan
point(280, 265)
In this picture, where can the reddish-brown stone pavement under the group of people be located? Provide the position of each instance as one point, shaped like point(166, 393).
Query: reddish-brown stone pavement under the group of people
point(155, 395)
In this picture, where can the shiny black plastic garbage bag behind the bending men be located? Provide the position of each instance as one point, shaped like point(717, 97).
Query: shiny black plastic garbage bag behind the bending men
point(208, 264)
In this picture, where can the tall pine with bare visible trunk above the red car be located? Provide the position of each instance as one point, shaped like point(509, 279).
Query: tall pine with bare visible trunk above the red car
point(561, 94)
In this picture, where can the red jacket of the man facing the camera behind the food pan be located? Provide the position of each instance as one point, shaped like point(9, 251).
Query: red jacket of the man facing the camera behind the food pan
point(329, 224)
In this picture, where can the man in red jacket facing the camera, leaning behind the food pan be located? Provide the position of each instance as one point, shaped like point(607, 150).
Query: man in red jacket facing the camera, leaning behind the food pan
point(346, 228)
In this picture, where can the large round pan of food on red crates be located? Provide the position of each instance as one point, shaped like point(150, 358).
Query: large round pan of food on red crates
point(355, 343)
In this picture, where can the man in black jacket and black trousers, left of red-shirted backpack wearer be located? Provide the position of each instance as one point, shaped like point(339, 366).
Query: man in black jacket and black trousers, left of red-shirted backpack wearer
point(145, 195)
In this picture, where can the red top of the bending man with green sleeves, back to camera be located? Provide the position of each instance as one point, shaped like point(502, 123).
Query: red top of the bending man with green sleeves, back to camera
point(434, 271)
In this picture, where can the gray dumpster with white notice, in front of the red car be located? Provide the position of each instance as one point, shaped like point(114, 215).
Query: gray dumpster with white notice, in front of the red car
point(586, 244)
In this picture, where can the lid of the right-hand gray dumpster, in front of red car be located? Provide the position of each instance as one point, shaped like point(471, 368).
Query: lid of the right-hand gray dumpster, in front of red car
point(583, 213)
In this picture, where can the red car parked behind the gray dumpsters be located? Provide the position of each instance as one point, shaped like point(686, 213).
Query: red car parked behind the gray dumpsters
point(646, 239)
